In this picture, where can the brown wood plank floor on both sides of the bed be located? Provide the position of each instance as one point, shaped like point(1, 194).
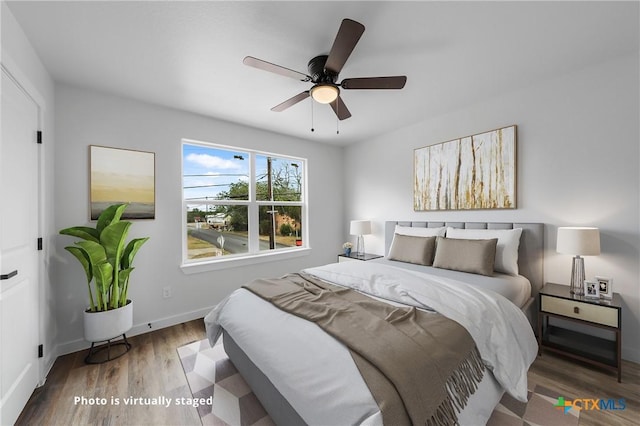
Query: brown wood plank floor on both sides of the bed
point(152, 369)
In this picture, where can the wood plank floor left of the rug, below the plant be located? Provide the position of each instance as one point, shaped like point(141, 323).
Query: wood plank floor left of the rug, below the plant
point(151, 369)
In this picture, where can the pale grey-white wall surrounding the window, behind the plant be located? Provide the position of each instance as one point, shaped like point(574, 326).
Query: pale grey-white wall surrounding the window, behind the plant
point(86, 118)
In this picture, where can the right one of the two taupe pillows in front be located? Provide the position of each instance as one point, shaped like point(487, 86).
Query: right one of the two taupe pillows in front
point(474, 256)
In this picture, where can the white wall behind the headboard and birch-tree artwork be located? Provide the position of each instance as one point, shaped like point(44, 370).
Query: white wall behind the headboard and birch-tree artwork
point(578, 161)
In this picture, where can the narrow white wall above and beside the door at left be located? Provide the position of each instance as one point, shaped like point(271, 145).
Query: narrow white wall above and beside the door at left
point(21, 61)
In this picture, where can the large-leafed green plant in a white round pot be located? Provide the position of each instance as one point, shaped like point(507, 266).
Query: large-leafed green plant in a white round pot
point(108, 264)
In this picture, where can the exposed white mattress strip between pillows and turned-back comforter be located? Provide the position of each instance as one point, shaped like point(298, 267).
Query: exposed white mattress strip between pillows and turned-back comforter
point(516, 288)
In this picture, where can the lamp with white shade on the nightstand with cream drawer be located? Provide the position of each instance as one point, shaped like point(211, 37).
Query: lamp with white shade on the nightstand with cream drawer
point(578, 241)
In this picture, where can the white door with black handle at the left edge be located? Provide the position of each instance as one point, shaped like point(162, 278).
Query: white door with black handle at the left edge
point(19, 213)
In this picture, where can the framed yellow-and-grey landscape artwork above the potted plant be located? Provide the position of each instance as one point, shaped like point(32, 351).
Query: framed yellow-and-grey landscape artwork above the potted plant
point(122, 176)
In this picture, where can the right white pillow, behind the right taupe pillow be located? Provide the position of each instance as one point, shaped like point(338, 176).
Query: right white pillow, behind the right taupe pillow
point(506, 250)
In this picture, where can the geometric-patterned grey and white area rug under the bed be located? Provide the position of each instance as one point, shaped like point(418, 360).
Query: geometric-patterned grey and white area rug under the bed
point(228, 400)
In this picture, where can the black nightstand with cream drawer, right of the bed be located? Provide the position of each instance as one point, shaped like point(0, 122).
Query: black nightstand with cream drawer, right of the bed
point(603, 314)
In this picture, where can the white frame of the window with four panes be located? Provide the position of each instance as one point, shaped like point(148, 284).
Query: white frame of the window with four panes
point(253, 254)
